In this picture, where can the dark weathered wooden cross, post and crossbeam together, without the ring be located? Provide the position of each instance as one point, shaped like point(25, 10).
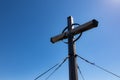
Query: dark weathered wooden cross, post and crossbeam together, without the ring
point(73, 74)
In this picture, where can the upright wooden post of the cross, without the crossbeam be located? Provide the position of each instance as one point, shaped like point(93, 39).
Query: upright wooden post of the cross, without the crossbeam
point(73, 74)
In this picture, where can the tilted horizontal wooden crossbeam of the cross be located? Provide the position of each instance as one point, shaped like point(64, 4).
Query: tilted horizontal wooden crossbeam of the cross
point(84, 27)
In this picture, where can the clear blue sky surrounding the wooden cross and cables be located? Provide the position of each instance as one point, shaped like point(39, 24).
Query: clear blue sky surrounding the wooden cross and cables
point(27, 25)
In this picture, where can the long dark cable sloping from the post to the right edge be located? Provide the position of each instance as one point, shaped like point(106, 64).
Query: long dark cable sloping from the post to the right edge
point(99, 66)
